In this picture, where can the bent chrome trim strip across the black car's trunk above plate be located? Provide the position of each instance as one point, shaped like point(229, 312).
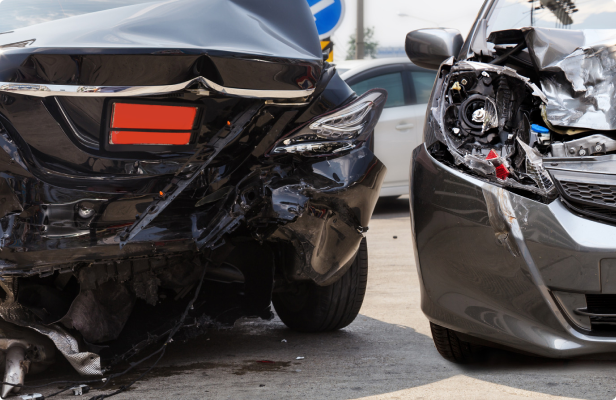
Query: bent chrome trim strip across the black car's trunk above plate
point(38, 90)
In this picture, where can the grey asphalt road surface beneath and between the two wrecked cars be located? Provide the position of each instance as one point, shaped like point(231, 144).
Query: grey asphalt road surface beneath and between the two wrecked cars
point(387, 353)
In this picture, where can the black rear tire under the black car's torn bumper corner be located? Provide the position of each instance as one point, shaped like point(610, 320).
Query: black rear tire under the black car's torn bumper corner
point(314, 308)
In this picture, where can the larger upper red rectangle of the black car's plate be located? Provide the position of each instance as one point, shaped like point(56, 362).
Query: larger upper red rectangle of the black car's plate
point(144, 116)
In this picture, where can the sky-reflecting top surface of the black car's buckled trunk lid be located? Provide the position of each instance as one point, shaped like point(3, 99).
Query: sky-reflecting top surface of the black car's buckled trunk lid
point(282, 29)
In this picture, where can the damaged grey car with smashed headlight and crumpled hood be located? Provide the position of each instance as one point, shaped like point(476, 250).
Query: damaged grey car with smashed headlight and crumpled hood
point(513, 193)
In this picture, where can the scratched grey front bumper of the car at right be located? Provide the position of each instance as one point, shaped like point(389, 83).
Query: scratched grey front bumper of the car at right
point(503, 268)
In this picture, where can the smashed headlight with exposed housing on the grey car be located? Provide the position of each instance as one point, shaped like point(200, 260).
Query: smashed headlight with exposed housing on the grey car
point(489, 117)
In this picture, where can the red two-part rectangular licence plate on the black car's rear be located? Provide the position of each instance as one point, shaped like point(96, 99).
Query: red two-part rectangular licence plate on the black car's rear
point(145, 124)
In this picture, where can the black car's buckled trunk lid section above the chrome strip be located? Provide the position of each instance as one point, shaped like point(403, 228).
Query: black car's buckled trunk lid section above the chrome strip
point(263, 45)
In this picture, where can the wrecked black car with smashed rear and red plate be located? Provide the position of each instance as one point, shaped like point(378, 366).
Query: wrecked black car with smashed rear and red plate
point(172, 166)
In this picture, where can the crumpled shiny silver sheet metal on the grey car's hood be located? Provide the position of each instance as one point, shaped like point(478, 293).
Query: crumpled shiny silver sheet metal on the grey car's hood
point(579, 75)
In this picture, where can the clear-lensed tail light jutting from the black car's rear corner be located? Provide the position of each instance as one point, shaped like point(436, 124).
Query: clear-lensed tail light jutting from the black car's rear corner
point(341, 130)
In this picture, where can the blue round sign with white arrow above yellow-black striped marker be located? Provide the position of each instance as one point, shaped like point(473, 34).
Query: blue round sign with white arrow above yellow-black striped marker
point(328, 15)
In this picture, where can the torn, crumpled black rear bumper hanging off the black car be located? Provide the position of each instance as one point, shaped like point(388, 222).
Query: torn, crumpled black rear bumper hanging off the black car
point(322, 209)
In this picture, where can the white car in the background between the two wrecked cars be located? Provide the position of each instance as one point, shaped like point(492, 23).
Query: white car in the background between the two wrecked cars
point(400, 128)
